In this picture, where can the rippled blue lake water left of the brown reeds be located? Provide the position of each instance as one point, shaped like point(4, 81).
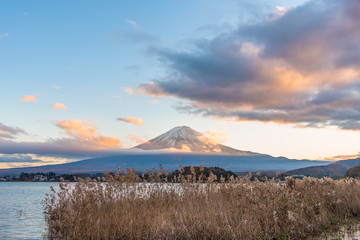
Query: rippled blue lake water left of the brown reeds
point(21, 211)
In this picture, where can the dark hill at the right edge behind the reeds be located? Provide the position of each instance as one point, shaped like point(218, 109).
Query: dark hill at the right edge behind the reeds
point(337, 169)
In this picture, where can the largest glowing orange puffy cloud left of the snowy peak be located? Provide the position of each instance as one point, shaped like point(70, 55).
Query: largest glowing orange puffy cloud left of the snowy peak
point(86, 133)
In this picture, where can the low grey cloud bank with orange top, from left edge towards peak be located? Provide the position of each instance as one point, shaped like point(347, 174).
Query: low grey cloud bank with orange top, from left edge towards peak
point(83, 139)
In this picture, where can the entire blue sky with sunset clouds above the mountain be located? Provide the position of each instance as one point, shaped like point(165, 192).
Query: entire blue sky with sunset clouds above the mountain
point(85, 78)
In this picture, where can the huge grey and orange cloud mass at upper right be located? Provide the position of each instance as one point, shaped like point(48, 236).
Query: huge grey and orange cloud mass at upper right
point(301, 68)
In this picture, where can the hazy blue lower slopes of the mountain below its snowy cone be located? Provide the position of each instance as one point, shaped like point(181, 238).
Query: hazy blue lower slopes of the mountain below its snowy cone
point(235, 163)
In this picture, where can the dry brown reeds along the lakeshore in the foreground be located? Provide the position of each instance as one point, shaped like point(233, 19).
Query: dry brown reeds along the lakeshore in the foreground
point(193, 206)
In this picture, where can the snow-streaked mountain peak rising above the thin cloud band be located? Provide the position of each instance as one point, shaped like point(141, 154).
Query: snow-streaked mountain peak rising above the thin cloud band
point(186, 139)
